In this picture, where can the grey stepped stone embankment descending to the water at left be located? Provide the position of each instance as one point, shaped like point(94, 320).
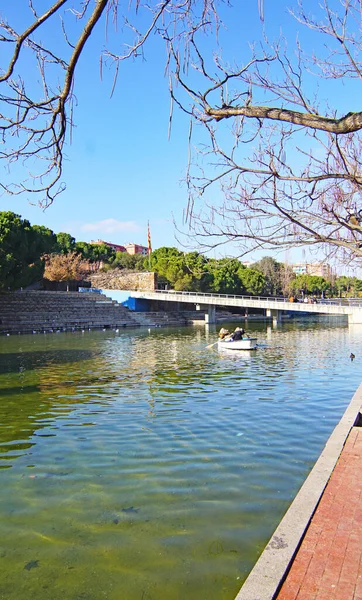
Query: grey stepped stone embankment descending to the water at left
point(28, 311)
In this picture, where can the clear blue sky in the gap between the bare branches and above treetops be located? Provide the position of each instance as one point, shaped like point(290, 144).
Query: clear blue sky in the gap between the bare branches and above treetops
point(121, 169)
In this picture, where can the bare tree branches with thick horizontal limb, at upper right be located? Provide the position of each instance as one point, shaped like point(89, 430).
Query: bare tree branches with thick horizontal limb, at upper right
point(286, 162)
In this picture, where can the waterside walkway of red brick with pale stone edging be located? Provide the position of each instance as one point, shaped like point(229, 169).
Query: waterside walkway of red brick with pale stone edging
point(316, 551)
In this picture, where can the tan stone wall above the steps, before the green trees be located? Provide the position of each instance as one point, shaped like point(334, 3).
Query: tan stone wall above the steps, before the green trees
point(120, 279)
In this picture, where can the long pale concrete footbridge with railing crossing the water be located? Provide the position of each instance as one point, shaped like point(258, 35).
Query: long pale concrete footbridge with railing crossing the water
point(273, 306)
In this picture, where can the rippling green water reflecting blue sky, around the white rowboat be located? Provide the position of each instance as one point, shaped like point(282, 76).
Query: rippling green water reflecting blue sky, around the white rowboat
point(139, 465)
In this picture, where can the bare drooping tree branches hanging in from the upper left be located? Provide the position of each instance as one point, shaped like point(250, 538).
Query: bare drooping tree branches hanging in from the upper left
point(38, 73)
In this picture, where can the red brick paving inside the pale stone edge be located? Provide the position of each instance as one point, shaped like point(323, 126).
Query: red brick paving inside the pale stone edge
point(328, 564)
